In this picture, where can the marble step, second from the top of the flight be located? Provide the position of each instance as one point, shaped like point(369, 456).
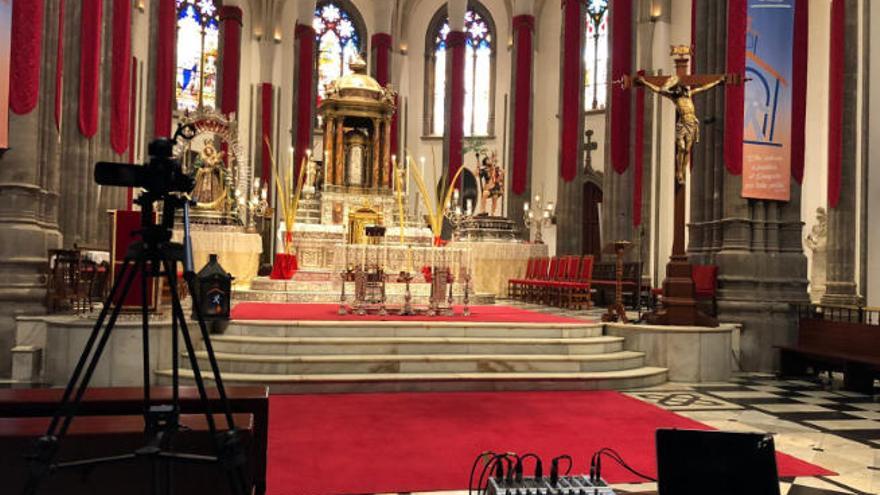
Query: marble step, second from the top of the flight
point(249, 344)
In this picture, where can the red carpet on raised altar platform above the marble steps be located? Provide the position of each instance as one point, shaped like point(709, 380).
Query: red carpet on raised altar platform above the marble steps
point(327, 312)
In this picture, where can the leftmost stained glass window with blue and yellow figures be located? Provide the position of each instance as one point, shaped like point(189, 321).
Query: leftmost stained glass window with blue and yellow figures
point(198, 41)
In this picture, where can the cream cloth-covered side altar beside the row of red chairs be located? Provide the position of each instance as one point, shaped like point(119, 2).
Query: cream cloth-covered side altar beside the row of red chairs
point(493, 263)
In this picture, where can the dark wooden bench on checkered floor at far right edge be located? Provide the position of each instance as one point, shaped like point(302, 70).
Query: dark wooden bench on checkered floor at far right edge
point(853, 348)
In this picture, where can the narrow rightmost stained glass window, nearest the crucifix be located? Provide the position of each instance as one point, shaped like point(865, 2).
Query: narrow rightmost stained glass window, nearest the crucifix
point(596, 55)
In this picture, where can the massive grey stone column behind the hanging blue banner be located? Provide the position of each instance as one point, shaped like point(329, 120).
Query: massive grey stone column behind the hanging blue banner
point(756, 244)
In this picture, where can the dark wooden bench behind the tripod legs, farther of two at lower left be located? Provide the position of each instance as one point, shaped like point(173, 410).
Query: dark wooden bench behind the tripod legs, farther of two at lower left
point(127, 401)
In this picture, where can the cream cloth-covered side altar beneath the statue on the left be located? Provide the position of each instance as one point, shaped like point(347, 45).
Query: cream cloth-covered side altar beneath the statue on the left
point(237, 251)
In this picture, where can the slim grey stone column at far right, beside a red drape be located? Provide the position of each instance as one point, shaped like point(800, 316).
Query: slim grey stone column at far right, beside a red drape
point(840, 270)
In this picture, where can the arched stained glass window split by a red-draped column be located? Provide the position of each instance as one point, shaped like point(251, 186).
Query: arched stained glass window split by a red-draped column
point(477, 75)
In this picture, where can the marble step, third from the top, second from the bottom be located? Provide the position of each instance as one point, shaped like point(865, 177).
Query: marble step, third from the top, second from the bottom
point(425, 363)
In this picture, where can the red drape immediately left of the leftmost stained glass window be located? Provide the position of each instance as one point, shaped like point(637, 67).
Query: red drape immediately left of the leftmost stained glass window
point(165, 41)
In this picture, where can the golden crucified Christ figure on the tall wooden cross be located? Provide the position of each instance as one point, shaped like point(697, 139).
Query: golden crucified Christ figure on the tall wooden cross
point(687, 125)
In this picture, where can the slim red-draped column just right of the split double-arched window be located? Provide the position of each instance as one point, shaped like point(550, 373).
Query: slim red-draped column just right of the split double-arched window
point(519, 169)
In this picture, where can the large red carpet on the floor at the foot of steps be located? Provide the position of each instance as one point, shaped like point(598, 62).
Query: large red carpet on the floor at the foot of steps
point(380, 443)
